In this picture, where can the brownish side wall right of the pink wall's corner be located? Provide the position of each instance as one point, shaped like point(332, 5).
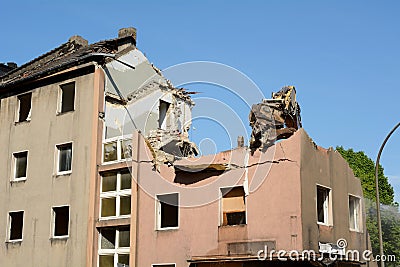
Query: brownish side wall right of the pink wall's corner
point(329, 169)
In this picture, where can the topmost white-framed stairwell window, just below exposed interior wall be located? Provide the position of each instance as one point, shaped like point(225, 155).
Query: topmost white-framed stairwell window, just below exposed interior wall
point(118, 148)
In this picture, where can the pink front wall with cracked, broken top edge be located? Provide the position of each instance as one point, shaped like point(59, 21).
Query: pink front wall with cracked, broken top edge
point(273, 209)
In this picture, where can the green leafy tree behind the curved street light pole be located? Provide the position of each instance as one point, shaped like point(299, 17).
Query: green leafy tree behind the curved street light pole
point(364, 168)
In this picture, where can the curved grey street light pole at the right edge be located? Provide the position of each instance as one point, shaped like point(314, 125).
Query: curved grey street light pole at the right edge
point(378, 206)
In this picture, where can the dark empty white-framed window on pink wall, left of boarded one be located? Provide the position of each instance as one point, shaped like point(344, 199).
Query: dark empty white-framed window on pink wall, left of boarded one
point(167, 211)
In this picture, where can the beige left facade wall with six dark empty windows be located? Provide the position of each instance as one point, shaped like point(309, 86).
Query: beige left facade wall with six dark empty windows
point(42, 188)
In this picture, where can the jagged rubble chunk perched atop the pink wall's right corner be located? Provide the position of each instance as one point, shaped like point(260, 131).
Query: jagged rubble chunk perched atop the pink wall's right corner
point(274, 119)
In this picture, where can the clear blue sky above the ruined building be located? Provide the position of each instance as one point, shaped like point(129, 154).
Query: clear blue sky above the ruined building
point(342, 56)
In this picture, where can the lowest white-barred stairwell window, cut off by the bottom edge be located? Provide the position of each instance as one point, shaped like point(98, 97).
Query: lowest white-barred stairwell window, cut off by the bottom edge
point(114, 243)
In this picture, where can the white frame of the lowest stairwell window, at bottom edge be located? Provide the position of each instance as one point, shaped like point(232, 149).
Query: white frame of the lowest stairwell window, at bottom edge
point(116, 250)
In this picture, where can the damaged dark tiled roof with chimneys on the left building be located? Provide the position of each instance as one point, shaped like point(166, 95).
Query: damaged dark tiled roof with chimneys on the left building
point(75, 52)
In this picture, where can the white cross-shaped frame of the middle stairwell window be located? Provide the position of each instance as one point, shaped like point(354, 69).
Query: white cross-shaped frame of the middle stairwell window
point(117, 194)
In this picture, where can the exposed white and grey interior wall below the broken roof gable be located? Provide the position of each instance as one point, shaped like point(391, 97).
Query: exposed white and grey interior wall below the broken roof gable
point(147, 95)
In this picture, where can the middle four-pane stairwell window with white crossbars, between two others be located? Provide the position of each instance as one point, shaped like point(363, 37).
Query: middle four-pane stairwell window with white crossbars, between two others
point(115, 194)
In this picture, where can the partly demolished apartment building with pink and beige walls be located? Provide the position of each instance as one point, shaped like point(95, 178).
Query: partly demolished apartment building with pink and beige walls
point(99, 171)
